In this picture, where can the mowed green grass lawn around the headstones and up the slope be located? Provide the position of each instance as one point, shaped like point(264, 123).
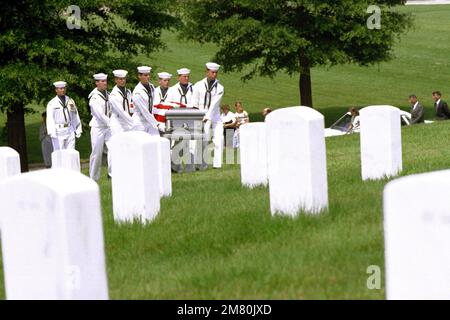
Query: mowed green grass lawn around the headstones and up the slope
point(214, 239)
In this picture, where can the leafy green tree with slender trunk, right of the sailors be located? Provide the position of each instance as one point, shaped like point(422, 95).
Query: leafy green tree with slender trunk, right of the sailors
point(294, 36)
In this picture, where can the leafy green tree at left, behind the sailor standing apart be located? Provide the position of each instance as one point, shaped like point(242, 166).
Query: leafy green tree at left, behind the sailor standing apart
point(42, 42)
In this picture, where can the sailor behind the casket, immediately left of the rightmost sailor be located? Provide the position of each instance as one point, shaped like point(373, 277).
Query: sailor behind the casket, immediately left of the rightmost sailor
point(181, 93)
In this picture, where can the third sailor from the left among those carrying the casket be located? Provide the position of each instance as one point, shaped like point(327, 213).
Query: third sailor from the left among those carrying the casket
point(143, 96)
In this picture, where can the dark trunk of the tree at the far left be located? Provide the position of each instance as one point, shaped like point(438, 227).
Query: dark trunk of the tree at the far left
point(16, 134)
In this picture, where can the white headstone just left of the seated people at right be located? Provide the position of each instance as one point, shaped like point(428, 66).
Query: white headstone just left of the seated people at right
point(381, 142)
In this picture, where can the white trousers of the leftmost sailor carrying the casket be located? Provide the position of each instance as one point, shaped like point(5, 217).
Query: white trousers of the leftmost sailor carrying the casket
point(99, 137)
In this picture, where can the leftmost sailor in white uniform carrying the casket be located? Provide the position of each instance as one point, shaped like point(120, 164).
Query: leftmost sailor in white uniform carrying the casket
point(100, 125)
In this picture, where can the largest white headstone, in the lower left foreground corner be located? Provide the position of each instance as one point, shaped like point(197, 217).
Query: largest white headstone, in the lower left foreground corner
point(52, 236)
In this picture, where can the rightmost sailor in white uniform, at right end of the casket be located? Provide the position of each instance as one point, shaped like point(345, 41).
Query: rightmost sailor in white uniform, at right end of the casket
point(207, 96)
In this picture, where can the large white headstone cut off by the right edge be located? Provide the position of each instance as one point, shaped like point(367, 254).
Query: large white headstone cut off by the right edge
point(417, 236)
